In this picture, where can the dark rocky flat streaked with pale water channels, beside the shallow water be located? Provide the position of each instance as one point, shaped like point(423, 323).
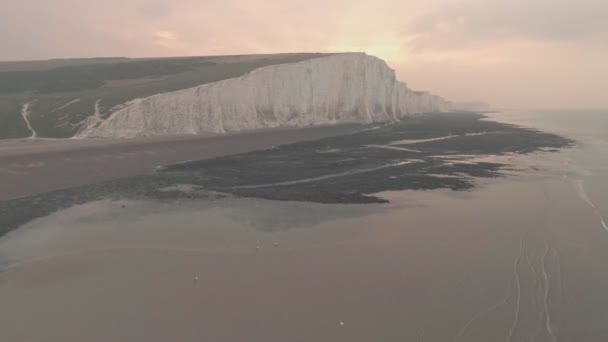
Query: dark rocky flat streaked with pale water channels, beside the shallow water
point(423, 152)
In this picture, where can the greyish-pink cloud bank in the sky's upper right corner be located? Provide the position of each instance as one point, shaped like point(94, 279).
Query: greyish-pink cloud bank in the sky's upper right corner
point(478, 23)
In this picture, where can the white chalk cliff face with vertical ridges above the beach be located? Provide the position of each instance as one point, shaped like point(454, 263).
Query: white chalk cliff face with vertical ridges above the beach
point(344, 88)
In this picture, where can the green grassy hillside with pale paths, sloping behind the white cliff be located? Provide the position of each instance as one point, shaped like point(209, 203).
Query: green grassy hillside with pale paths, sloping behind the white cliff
point(49, 85)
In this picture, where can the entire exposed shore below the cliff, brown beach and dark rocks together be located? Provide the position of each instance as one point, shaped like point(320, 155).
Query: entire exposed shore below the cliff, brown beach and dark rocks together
point(328, 165)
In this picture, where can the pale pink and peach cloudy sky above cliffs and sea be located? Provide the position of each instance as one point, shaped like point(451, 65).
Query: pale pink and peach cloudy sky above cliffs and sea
point(509, 53)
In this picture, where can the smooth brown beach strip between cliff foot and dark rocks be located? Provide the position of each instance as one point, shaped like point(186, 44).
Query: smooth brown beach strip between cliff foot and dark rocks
point(33, 166)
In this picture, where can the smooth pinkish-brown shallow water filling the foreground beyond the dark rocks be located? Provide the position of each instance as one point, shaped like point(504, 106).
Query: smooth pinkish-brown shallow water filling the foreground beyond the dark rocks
point(519, 258)
